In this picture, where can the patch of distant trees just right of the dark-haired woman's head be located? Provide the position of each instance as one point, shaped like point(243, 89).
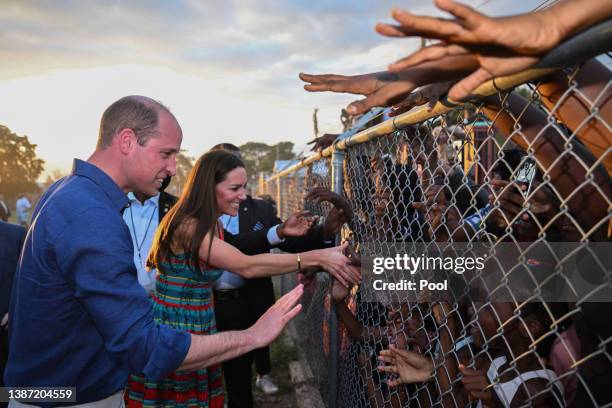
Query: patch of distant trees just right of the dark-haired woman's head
point(260, 156)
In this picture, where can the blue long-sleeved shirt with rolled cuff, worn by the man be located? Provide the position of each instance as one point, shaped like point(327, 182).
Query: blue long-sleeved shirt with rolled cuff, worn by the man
point(78, 316)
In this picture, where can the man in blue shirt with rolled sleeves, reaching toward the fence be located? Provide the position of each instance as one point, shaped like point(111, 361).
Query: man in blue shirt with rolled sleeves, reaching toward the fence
point(78, 317)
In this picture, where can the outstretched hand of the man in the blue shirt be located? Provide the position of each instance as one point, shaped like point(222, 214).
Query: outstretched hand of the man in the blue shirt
point(269, 326)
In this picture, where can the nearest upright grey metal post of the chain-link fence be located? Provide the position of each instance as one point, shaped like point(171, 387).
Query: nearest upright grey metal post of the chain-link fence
point(337, 187)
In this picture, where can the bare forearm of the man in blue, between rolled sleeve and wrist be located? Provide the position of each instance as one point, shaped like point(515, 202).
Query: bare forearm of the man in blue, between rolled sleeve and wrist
point(206, 350)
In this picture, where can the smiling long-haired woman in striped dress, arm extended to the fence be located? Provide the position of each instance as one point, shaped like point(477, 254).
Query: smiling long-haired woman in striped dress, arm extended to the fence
point(189, 253)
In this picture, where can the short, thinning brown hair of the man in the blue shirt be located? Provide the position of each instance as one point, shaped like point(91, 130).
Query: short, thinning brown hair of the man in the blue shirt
point(139, 113)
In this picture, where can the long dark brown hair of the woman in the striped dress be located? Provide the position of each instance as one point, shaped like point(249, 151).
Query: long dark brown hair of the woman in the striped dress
point(198, 202)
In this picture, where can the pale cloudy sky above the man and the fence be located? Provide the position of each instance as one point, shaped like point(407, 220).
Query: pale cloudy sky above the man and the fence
point(228, 70)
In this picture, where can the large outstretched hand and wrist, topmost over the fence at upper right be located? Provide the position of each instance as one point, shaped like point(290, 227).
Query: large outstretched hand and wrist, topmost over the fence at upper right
point(502, 45)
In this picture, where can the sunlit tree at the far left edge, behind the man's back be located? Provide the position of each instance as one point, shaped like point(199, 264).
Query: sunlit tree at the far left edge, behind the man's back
point(19, 165)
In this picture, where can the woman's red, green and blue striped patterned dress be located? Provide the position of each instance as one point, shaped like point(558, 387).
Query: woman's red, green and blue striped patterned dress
point(182, 300)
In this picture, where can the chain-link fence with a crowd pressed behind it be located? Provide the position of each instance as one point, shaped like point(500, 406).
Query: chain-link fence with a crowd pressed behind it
point(521, 175)
